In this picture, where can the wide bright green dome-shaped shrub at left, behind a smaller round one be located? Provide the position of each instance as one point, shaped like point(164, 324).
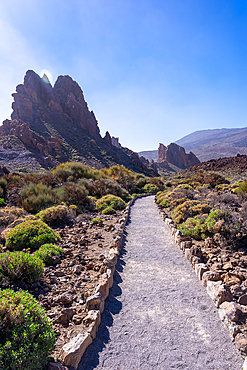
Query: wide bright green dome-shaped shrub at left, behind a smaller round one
point(30, 234)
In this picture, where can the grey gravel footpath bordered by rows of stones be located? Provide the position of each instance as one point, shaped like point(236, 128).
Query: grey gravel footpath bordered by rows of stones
point(158, 315)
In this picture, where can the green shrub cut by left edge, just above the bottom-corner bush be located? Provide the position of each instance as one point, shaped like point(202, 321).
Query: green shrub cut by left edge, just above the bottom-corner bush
point(20, 265)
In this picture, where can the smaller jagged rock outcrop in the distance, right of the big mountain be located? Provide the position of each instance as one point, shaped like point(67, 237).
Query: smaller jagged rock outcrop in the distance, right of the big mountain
point(176, 155)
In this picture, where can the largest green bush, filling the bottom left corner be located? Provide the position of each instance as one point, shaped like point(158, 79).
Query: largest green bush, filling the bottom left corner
point(26, 335)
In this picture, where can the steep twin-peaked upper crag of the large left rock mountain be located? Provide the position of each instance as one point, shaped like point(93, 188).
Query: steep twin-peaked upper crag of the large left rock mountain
point(66, 98)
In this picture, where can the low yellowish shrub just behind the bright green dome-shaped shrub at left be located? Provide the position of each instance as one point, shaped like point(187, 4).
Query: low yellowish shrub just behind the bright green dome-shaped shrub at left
point(55, 215)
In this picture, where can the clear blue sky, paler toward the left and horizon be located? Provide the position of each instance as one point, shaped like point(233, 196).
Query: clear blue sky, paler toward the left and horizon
point(152, 71)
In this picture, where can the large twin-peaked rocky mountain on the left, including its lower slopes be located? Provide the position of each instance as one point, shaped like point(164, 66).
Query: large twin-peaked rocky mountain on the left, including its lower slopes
point(50, 125)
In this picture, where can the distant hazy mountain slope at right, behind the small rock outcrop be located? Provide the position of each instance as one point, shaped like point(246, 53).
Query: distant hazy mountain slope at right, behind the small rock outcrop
point(213, 144)
